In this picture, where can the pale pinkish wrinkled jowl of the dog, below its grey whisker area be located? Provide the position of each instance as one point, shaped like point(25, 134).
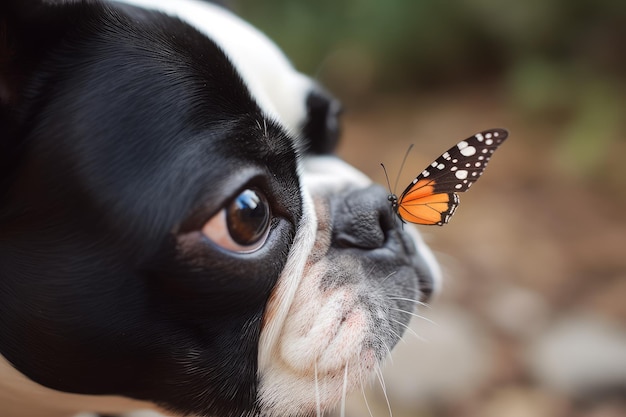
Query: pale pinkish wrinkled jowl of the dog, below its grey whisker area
point(327, 348)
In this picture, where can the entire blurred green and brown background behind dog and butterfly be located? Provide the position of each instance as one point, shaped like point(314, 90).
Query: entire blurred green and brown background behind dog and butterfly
point(532, 317)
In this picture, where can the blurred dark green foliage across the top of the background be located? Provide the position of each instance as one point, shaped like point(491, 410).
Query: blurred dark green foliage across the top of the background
point(559, 61)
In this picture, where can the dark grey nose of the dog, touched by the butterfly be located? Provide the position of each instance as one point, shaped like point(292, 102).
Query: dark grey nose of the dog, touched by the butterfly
point(362, 218)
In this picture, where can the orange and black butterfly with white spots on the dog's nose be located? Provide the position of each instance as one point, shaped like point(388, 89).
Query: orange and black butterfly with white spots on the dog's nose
point(432, 198)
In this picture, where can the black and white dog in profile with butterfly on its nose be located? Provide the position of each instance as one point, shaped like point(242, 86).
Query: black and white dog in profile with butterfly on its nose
point(174, 233)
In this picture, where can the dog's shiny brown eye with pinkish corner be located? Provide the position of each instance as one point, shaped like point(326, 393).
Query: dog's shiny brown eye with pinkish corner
point(243, 225)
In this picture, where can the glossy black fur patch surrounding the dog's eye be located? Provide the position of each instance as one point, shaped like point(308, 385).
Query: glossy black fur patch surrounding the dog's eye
point(122, 129)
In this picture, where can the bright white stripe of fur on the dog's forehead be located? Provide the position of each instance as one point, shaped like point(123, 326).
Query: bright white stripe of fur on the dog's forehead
point(279, 90)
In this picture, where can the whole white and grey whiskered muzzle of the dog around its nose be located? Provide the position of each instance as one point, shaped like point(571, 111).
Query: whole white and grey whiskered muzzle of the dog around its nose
point(347, 309)
